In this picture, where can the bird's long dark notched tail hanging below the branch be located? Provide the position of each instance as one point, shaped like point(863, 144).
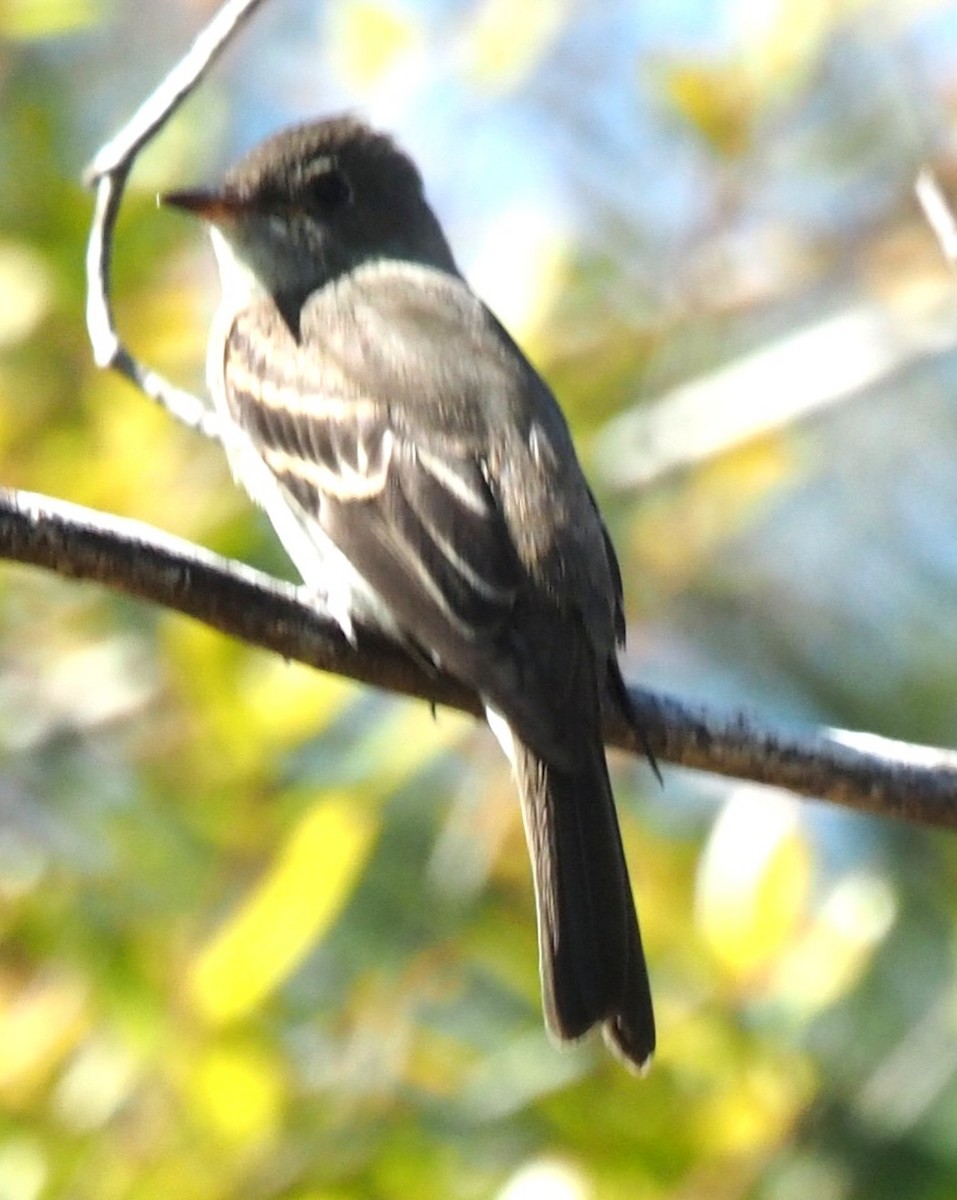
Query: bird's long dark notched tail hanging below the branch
point(593, 965)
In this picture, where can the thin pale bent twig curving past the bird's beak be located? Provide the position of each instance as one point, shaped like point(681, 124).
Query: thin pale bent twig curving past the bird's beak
point(109, 173)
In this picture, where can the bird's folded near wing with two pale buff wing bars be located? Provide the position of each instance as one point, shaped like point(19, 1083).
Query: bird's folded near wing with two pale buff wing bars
point(423, 527)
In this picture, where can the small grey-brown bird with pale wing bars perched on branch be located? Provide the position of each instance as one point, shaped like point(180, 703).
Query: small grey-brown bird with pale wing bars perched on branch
point(423, 478)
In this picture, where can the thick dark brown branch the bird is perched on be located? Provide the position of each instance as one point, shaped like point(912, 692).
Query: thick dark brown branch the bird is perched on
point(857, 771)
